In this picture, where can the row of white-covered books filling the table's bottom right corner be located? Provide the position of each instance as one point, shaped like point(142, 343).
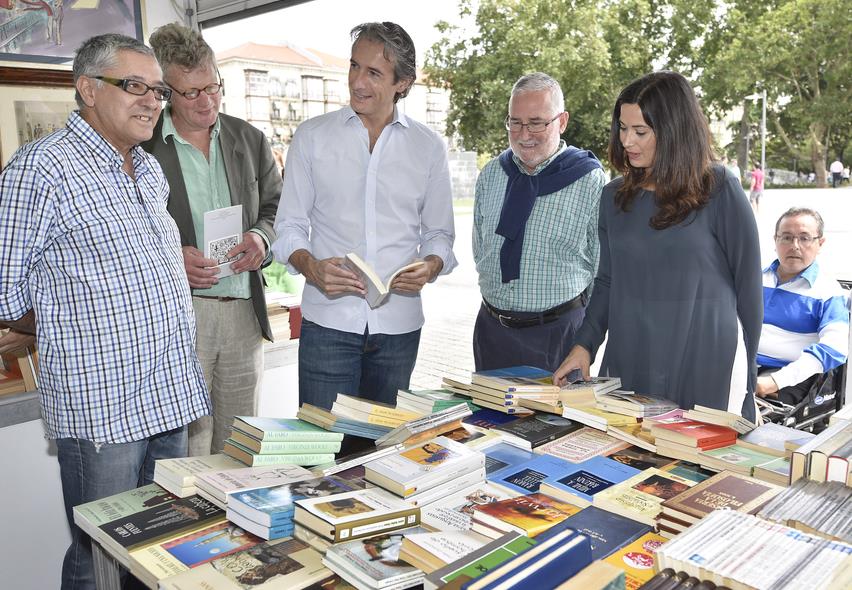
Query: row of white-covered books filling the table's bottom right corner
point(742, 547)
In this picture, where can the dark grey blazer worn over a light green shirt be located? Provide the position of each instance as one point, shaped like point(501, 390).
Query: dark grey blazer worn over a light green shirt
point(253, 180)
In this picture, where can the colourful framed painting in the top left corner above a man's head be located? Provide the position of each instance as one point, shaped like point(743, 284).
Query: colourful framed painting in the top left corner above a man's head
point(49, 31)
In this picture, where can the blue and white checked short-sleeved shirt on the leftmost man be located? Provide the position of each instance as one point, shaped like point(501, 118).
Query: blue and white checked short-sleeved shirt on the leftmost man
point(96, 255)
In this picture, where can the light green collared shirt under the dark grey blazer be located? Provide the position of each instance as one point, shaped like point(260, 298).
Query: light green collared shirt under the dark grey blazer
point(207, 189)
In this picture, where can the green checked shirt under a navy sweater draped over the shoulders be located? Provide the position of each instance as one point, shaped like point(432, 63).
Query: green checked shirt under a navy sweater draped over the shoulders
point(560, 252)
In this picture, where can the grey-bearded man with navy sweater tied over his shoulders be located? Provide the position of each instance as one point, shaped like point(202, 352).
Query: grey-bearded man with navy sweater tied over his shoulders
point(535, 238)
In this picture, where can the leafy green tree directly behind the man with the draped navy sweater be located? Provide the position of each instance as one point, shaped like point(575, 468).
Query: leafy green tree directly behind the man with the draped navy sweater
point(592, 48)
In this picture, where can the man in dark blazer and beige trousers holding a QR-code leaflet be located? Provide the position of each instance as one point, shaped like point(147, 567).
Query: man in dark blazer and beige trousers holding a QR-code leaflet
point(212, 161)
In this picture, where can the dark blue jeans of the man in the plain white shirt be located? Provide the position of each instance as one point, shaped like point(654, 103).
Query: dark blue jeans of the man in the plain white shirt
point(372, 366)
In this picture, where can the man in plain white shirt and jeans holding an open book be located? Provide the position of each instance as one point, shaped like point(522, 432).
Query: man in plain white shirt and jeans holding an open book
point(369, 180)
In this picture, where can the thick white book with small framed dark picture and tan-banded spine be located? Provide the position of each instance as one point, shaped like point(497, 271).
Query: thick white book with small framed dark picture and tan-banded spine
point(359, 513)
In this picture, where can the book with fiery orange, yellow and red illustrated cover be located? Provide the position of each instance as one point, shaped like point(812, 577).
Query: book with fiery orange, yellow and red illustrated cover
point(530, 515)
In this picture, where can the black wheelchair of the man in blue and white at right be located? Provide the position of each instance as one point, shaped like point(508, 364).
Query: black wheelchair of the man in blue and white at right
point(826, 396)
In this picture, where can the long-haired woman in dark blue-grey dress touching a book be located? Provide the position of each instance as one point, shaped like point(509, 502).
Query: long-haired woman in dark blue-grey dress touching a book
point(678, 289)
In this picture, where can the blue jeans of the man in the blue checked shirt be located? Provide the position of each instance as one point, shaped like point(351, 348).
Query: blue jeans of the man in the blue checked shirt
point(91, 471)
